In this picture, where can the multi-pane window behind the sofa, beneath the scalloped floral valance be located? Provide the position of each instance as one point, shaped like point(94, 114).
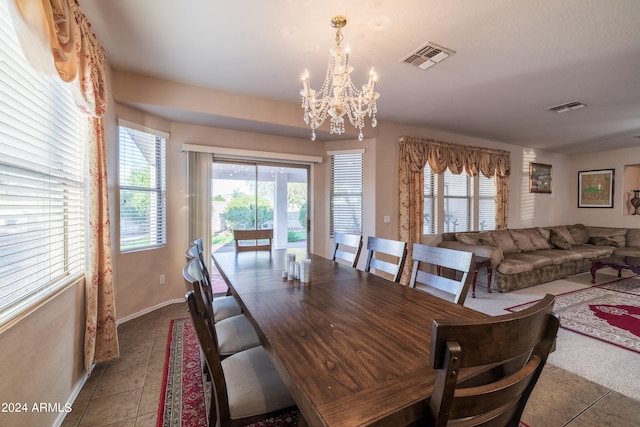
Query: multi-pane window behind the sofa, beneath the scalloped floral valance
point(465, 203)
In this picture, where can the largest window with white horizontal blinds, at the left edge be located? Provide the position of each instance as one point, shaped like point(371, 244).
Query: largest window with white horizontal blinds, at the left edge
point(42, 135)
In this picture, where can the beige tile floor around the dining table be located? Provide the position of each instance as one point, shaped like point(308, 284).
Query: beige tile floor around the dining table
point(126, 392)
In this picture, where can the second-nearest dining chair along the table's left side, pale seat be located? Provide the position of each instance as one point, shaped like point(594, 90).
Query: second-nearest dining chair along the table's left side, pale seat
point(234, 333)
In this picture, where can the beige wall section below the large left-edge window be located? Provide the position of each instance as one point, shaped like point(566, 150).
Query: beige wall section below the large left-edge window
point(41, 360)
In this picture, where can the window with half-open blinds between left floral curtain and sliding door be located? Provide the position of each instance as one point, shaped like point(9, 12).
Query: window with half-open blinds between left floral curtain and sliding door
point(142, 188)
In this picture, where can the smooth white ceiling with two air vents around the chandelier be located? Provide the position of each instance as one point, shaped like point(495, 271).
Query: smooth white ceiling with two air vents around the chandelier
point(514, 58)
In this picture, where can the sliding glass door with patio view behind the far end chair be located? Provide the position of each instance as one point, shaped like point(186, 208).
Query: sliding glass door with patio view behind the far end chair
point(253, 195)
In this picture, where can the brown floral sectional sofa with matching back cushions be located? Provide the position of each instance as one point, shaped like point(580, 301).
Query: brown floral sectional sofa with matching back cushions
point(526, 257)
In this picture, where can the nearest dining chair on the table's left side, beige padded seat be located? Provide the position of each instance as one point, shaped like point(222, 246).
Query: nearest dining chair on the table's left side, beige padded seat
point(245, 387)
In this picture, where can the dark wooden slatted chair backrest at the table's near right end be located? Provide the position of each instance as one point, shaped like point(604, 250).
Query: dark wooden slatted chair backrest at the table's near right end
point(518, 343)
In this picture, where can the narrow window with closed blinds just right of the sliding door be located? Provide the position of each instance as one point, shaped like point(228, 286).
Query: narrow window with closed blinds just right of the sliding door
point(346, 193)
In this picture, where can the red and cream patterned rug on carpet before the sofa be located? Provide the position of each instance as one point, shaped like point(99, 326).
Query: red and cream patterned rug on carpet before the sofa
point(608, 312)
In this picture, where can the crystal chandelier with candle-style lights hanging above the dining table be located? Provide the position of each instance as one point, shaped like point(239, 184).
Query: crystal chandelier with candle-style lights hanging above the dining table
point(338, 96)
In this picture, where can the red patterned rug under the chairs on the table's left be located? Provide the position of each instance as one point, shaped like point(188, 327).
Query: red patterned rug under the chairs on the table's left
point(184, 394)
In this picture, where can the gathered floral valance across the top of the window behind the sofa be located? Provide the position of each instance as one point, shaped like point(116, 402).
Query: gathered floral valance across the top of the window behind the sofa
point(458, 158)
